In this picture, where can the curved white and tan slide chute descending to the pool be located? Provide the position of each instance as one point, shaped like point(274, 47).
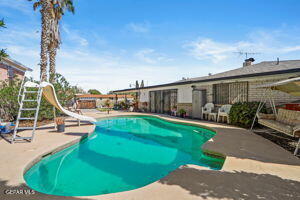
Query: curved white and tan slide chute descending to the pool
point(50, 96)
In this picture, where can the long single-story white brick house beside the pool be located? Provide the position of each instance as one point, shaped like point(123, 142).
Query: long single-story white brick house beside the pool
point(237, 85)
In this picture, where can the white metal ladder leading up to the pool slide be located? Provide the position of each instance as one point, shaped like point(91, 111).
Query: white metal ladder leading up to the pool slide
point(30, 94)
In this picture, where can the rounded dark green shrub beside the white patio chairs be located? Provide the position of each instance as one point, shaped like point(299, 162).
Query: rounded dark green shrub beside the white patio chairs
point(242, 114)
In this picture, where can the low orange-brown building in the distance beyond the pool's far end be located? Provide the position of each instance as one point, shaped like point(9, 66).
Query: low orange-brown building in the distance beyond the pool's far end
point(99, 100)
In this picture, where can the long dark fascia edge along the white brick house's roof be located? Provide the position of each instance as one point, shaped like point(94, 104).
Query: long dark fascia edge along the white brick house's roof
point(216, 79)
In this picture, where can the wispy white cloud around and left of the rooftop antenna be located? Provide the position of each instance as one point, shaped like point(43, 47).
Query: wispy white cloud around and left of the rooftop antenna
point(266, 43)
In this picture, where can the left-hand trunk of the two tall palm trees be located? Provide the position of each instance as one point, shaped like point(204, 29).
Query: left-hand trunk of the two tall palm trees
point(45, 9)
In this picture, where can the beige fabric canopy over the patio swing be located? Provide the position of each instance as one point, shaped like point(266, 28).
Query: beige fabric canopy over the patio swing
point(290, 86)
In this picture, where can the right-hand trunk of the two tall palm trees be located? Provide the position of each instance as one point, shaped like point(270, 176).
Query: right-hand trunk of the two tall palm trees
point(58, 10)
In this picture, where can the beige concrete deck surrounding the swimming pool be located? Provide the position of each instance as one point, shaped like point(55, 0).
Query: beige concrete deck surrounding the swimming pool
point(255, 168)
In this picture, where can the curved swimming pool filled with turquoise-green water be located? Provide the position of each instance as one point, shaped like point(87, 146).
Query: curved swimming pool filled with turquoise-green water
point(123, 153)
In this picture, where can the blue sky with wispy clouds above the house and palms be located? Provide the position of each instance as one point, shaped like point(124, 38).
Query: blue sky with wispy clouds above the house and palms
point(109, 44)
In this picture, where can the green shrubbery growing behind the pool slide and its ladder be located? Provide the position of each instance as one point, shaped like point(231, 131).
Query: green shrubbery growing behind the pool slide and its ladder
point(9, 106)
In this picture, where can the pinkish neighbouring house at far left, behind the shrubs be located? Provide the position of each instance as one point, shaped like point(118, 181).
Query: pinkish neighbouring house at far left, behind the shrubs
point(10, 69)
